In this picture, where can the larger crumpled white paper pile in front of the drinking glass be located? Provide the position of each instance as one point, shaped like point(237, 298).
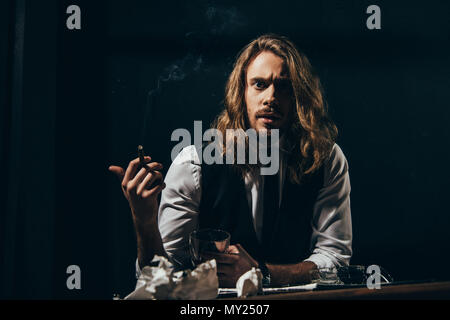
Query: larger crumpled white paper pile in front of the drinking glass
point(162, 283)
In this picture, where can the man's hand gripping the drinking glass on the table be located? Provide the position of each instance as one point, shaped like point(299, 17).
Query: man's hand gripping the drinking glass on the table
point(231, 265)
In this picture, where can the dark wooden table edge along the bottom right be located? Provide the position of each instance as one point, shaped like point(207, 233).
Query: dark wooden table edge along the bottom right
point(428, 290)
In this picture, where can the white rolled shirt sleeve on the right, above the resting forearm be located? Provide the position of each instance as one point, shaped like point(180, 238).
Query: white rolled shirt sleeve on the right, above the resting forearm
point(331, 240)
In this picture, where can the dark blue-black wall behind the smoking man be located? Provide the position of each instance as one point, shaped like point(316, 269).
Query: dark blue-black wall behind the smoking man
point(75, 101)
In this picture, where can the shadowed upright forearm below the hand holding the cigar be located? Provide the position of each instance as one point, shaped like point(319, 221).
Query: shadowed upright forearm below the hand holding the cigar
point(149, 242)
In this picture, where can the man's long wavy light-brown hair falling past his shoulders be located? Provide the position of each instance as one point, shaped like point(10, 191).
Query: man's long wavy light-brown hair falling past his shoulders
point(311, 134)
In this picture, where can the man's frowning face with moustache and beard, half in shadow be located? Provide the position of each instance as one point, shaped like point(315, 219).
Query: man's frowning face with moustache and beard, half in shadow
point(268, 92)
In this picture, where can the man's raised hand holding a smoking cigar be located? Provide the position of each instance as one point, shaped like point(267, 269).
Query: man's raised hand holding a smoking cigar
point(135, 186)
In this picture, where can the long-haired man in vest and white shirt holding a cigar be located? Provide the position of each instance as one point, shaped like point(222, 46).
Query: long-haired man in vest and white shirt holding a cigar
point(286, 224)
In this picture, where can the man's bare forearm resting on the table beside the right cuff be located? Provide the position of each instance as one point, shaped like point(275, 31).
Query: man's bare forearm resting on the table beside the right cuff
point(291, 273)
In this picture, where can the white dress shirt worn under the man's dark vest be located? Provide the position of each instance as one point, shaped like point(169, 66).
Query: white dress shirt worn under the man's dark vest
point(331, 240)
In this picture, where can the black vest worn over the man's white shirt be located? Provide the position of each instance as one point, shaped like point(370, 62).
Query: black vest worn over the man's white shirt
point(224, 205)
